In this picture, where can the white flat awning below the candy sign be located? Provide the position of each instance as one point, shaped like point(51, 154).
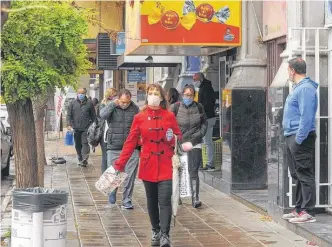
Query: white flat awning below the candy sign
point(148, 61)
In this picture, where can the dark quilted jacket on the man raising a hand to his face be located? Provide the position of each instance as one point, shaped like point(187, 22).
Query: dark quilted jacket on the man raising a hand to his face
point(119, 123)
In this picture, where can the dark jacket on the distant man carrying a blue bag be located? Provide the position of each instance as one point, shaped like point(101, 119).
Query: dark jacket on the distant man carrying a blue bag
point(80, 114)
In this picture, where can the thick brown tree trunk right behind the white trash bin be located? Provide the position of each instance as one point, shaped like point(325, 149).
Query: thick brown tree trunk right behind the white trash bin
point(24, 138)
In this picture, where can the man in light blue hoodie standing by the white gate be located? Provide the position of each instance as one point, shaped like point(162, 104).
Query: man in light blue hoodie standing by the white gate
point(299, 130)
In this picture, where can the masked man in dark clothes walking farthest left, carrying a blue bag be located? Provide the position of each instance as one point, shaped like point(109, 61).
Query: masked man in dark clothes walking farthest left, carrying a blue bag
point(81, 113)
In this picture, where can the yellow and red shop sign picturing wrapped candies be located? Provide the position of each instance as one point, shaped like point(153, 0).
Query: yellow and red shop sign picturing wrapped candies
point(191, 22)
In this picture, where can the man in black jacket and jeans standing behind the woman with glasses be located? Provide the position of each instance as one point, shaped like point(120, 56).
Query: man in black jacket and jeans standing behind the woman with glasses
point(207, 98)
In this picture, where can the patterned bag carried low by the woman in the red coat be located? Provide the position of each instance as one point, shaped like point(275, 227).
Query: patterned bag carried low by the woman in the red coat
point(110, 180)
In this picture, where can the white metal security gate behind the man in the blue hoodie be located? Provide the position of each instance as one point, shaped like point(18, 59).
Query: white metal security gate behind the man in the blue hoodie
point(300, 44)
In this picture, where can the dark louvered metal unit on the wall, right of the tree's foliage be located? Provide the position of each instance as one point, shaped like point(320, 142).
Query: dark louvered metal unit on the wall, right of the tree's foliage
point(106, 58)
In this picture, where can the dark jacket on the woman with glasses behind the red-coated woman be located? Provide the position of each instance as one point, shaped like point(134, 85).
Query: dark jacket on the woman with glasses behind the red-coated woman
point(192, 122)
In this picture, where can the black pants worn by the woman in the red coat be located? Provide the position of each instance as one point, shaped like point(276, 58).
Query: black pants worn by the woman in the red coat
point(159, 200)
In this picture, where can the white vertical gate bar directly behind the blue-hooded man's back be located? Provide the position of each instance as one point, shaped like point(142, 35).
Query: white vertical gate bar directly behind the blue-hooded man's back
point(317, 144)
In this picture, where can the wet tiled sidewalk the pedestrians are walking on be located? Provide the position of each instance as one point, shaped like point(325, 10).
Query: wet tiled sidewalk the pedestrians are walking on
point(221, 221)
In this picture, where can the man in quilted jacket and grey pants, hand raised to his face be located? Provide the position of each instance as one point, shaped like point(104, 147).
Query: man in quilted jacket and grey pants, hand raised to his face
point(119, 115)
